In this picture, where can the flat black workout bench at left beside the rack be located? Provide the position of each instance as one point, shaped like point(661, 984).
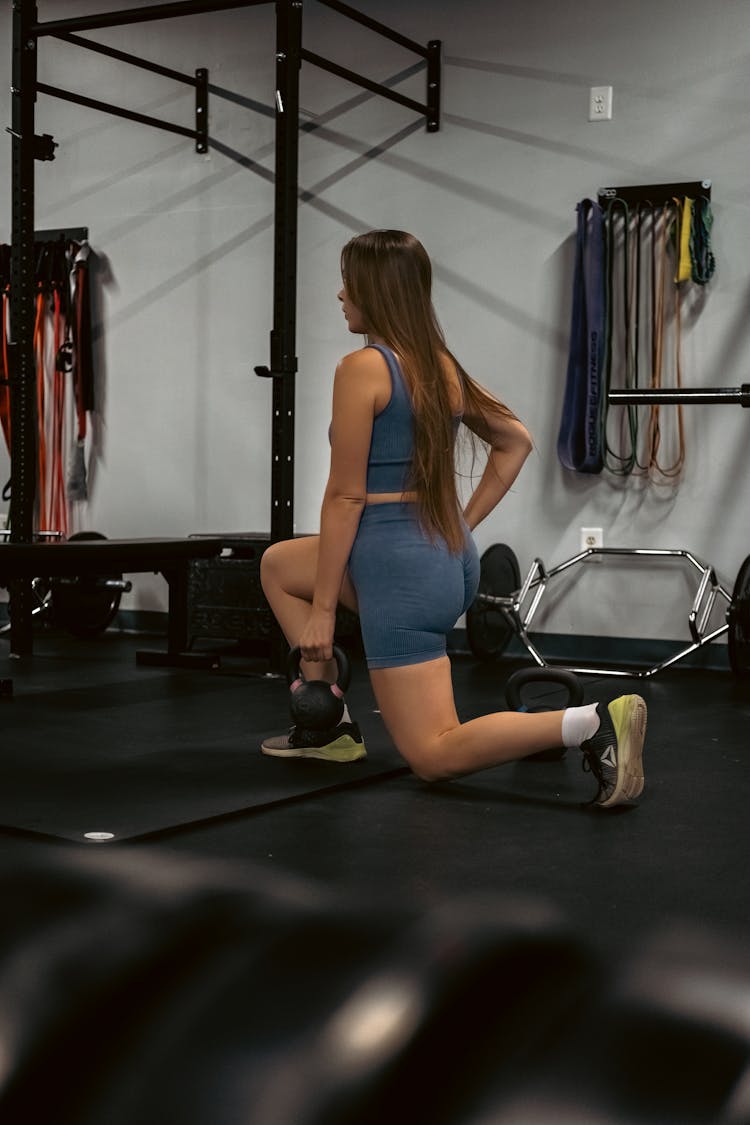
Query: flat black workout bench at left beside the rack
point(169, 557)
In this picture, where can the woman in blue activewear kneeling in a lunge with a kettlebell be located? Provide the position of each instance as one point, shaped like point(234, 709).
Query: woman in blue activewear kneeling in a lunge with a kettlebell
point(396, 548)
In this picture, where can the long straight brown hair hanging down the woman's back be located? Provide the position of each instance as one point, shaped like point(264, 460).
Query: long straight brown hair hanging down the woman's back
point(388, 277)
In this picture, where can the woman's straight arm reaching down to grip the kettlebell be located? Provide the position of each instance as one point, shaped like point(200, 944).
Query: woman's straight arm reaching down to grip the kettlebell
point(351, 430)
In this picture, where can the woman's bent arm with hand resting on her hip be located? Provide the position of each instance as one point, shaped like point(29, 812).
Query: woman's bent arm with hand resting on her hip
point(510, 445)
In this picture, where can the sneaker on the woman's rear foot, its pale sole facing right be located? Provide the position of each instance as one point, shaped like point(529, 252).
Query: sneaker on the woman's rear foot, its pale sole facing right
point(616, 754)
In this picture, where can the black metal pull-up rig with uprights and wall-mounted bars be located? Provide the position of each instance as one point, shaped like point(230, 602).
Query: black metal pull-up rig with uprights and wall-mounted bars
point(28, 148)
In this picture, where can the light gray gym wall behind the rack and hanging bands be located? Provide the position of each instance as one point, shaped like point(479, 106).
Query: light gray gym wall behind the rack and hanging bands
point(186, 246)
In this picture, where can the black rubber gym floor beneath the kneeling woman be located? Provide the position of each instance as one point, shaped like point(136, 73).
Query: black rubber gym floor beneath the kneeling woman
point(169, 759)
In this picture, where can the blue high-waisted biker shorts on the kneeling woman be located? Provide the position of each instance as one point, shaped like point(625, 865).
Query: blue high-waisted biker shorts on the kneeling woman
point(411, 590)
